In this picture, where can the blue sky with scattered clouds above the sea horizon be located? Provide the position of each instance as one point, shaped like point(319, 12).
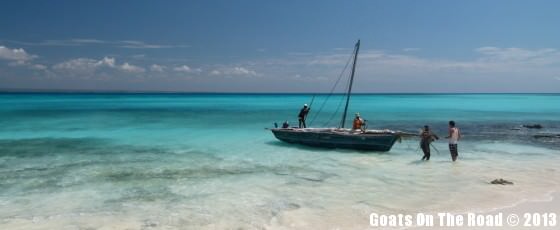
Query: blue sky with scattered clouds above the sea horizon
point(280, 46)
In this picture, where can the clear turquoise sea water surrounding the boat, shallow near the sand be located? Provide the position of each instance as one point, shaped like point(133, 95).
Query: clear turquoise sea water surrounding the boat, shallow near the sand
point(205, 161)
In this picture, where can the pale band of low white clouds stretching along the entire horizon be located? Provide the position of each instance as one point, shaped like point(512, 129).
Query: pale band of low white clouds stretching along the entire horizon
point(490, 69)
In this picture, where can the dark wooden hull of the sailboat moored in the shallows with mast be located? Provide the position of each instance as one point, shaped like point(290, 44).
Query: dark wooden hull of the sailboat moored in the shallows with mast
point(381, 141)
